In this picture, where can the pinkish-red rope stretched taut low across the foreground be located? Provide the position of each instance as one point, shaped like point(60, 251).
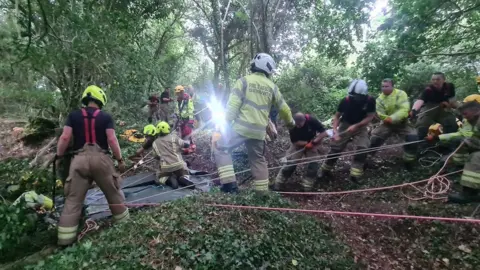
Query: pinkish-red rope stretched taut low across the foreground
point(330, 212)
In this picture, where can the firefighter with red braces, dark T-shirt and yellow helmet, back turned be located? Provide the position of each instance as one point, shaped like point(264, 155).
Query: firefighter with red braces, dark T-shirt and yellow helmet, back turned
point(93, 132)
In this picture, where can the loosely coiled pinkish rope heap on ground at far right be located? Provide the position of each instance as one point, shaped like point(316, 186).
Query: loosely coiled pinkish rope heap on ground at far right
point(437, 185)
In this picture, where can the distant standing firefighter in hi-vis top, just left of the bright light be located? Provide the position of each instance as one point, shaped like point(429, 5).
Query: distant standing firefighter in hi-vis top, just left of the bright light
point(184, 111)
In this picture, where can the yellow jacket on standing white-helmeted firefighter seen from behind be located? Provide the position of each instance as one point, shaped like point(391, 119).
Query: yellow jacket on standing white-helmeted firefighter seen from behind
point(249, 105)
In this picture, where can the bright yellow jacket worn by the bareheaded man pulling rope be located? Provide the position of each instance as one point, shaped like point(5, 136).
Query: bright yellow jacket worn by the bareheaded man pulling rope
point(395, 106)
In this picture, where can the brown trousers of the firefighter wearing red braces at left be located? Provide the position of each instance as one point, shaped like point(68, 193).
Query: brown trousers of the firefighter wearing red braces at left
point(91, 164)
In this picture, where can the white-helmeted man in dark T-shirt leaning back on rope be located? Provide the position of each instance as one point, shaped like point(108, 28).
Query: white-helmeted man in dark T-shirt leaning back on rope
point(350, 122)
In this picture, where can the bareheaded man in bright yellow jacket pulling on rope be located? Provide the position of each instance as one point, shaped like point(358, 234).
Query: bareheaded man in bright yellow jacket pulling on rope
point(392, 108)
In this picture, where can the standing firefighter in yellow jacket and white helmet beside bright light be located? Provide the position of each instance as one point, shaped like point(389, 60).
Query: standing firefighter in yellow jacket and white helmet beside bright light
point(247, 112)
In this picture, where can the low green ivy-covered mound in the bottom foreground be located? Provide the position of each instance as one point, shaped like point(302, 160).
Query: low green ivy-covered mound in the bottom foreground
point(191, 235)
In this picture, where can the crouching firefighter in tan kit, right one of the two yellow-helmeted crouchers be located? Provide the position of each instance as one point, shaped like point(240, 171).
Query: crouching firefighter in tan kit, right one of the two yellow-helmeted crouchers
point(173, 170)
